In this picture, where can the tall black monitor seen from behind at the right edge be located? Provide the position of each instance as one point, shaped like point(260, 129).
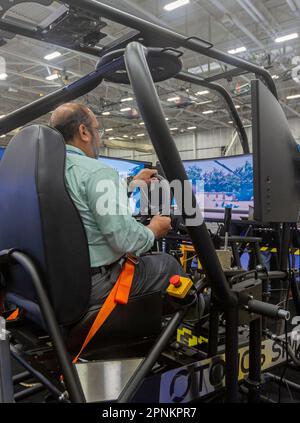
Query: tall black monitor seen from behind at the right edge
point(276, 160)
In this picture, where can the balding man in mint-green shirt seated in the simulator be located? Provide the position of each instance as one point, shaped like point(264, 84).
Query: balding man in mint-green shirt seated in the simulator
point(109, 236)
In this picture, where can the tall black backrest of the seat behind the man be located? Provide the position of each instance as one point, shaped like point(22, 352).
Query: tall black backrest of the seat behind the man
point(38, 217)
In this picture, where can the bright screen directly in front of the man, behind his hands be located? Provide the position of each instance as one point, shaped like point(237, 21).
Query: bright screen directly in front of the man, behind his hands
point(128, 168)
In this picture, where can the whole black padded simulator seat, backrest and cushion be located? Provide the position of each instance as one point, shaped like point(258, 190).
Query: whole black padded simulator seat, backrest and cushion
point(38, 217)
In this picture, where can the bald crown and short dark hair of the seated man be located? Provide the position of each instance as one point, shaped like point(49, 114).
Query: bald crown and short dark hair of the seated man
point(68, 117)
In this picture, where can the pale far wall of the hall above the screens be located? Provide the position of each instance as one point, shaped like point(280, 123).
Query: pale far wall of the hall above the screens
point(203, 144)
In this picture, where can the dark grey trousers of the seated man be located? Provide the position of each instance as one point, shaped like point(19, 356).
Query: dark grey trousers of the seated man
point(152, 274)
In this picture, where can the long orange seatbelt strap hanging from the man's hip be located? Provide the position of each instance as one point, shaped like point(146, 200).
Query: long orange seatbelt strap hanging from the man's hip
point(118, 295)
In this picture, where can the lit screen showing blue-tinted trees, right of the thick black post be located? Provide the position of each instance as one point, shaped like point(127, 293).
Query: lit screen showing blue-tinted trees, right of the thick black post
point(222, 182)
